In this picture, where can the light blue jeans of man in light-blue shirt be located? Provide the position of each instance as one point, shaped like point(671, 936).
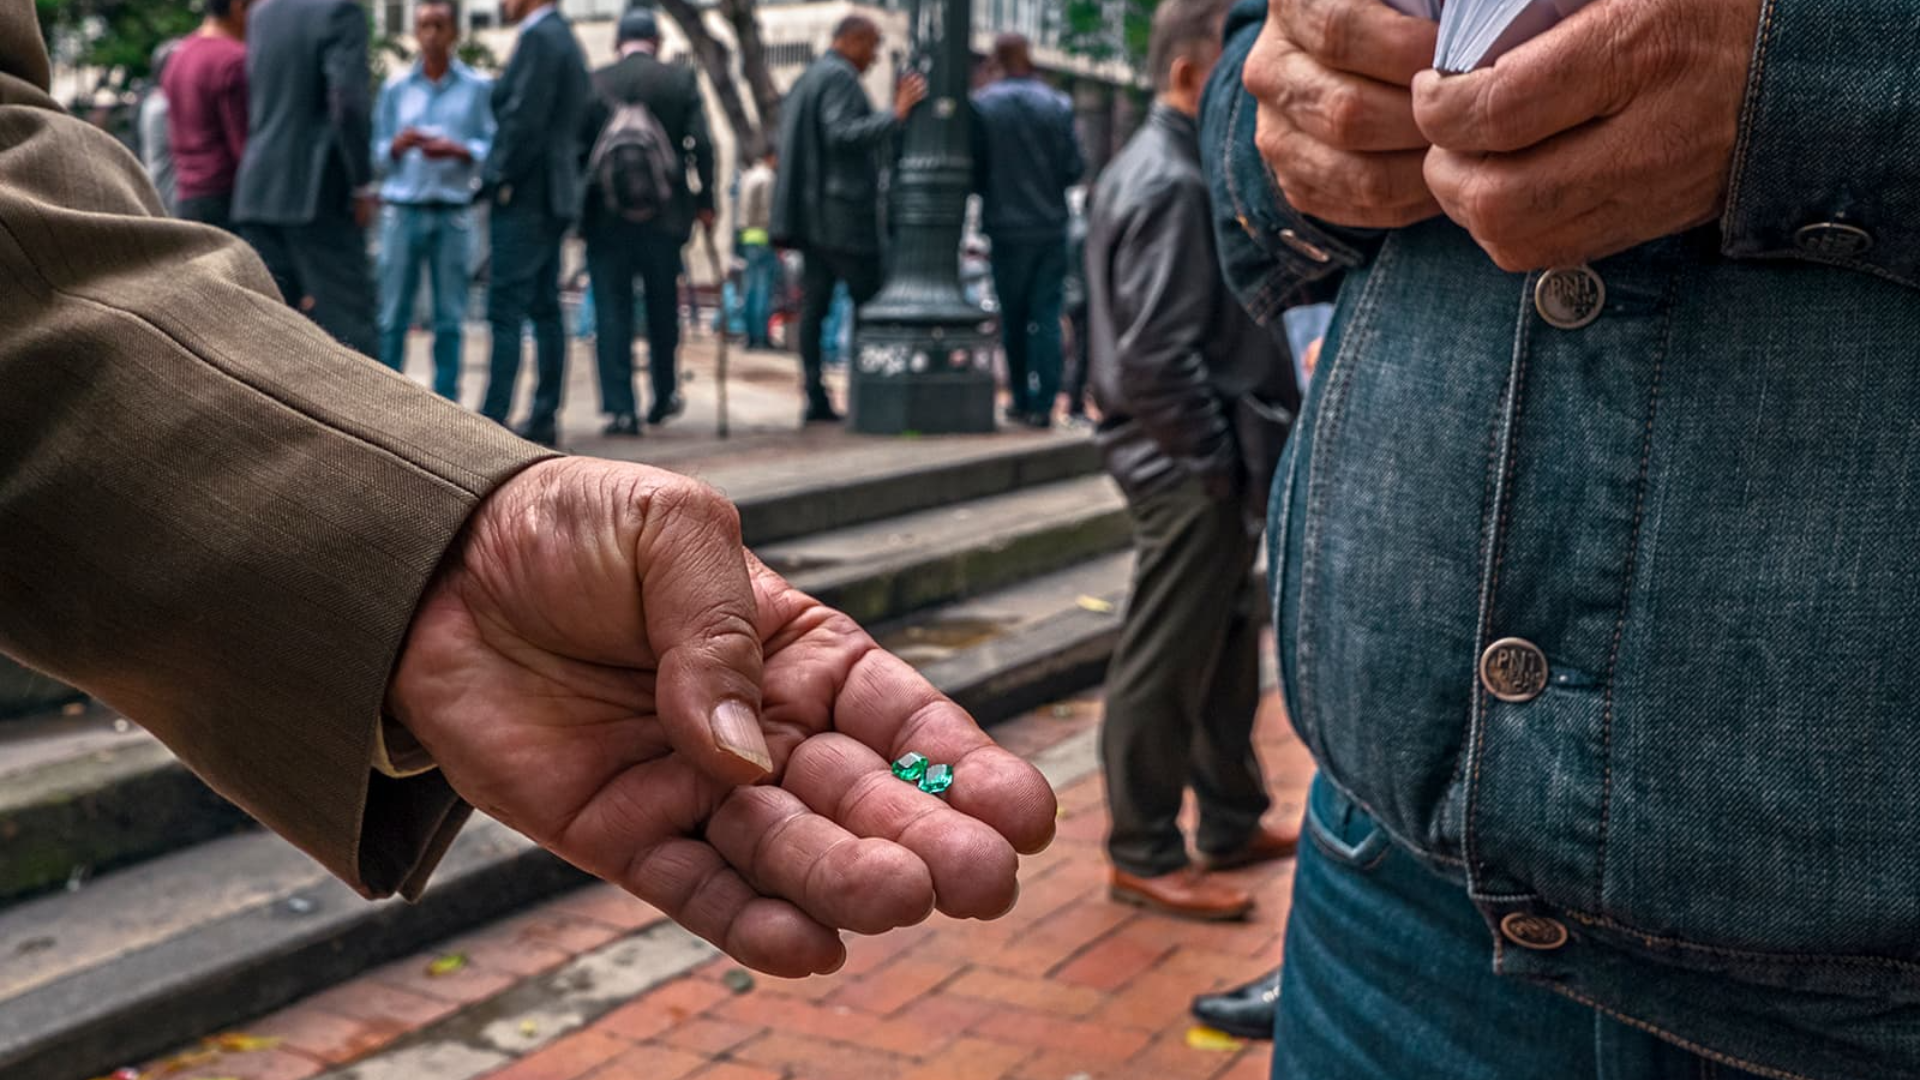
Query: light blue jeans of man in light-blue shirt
point(441, 241)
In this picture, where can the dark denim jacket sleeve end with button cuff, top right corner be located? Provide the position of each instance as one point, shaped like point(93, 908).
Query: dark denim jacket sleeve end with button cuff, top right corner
point(1829, 134)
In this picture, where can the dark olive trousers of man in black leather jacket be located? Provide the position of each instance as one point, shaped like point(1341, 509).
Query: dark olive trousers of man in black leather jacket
point(1184, 685)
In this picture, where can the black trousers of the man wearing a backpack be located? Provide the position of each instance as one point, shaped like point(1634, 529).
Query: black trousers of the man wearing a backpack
point(617, 255)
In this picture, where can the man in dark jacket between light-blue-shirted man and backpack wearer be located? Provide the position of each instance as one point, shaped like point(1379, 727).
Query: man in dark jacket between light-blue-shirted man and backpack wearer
point(533, 191)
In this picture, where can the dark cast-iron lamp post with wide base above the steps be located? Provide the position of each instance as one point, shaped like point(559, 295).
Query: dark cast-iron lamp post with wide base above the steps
point(923, 351)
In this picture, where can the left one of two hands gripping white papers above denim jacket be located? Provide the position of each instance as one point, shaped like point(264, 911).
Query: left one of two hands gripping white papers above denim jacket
point(1337, 114)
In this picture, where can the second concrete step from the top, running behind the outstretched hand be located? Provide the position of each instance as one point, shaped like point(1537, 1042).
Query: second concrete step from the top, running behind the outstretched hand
point(87, 793)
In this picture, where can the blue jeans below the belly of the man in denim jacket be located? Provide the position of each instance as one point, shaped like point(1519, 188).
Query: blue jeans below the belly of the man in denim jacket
point(1391, 973)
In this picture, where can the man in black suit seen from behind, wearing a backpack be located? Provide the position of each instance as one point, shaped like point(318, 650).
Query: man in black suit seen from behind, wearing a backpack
point(619, 249)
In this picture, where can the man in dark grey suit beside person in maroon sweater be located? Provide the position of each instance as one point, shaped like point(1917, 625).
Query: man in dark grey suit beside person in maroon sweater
point(299, 191)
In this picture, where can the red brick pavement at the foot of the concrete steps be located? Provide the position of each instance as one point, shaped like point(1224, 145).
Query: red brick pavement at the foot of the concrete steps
point(1070, 987)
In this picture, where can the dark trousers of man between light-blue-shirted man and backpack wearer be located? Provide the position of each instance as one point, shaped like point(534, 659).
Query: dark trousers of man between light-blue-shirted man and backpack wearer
point(527, 287)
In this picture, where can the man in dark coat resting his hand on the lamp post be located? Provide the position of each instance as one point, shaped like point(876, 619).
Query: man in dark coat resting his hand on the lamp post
point(827, 201)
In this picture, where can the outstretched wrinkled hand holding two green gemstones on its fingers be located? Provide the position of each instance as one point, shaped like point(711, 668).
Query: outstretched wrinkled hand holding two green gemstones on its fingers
point(606, 670)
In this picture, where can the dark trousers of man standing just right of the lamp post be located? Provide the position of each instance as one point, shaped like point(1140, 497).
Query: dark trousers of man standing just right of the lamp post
point(1030, 280)
